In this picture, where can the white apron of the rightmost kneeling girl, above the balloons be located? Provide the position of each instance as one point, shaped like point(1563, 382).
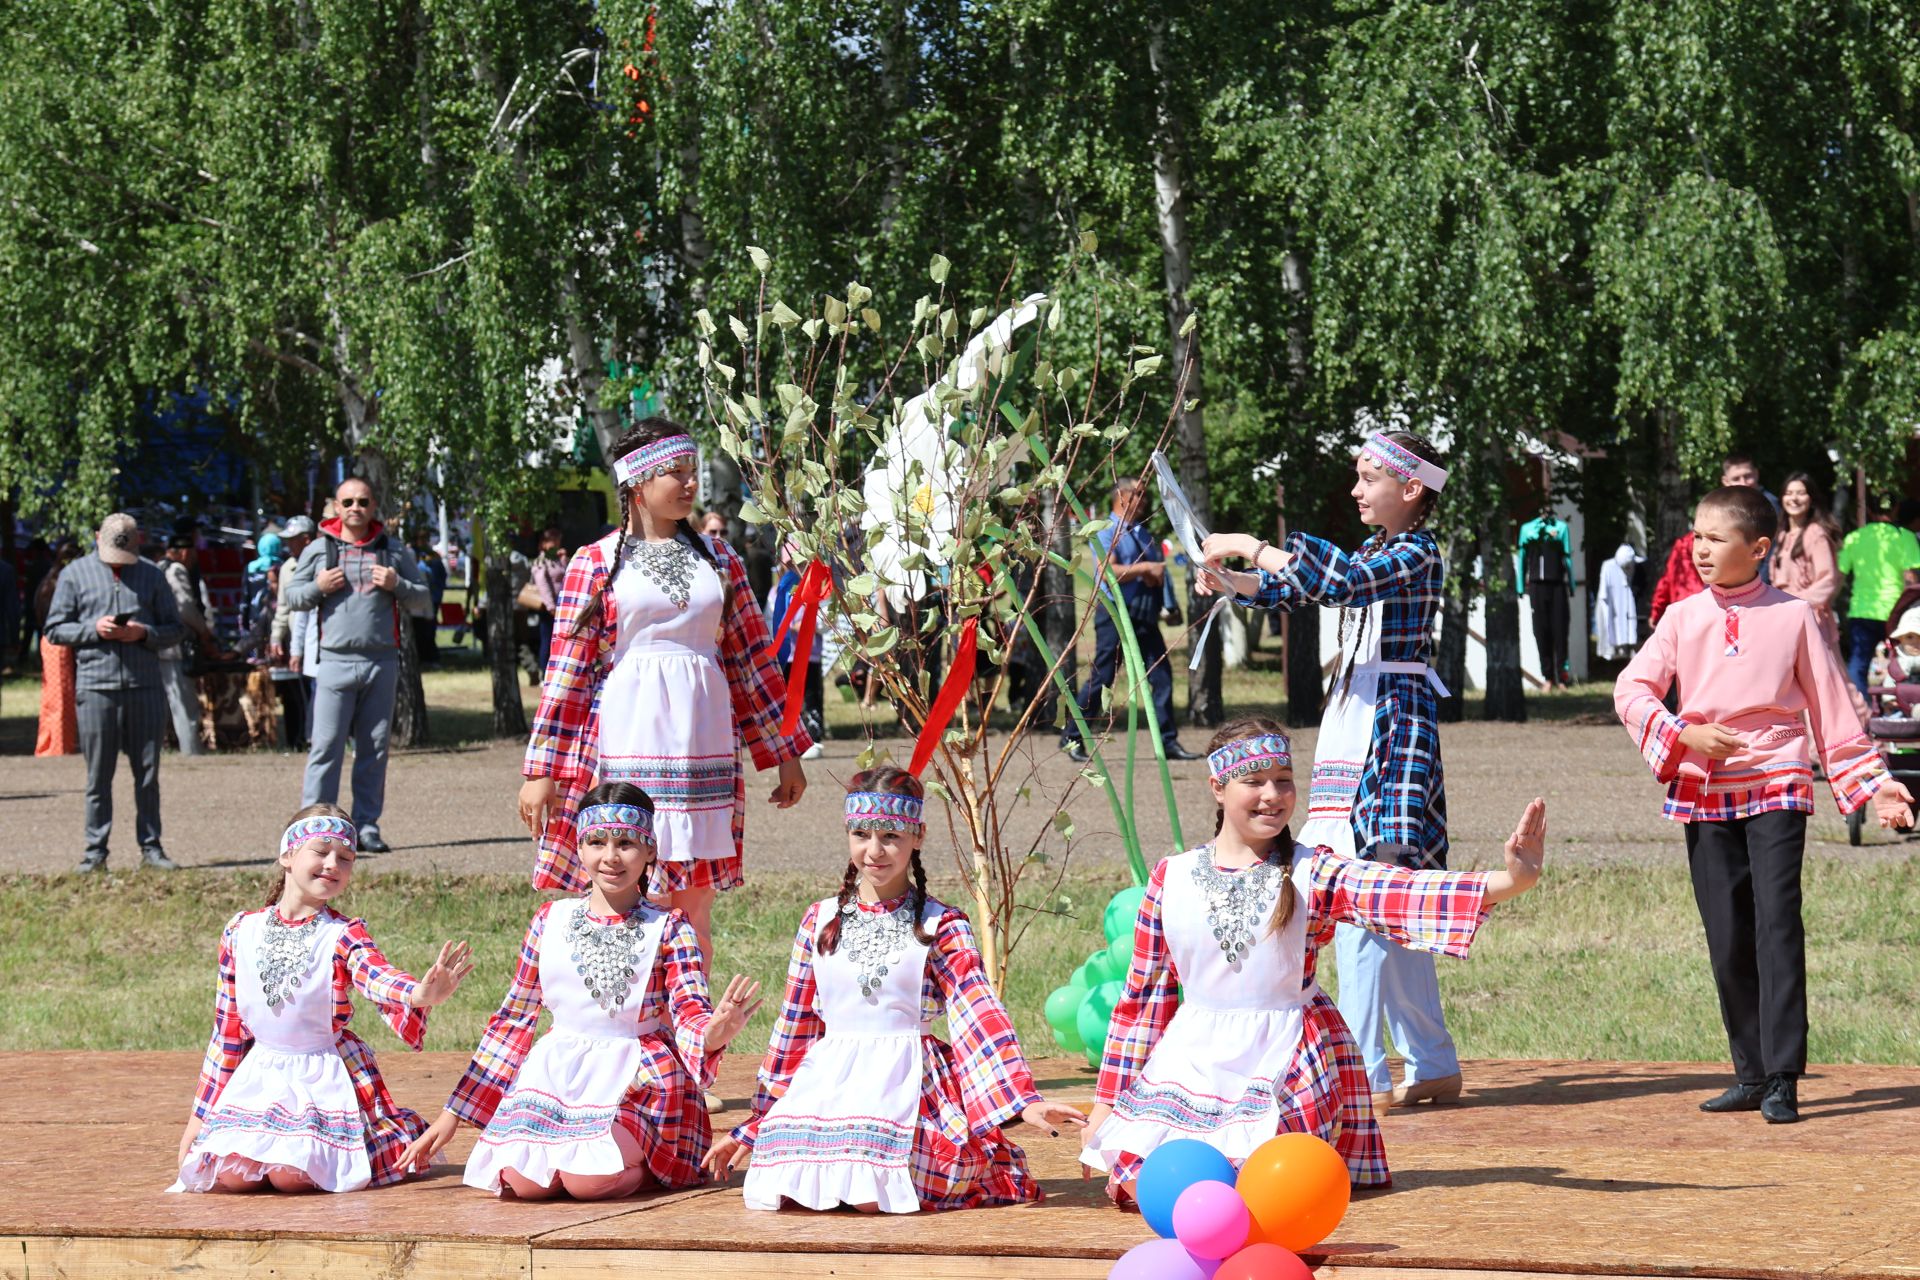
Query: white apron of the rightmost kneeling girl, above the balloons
point(1216, 1072)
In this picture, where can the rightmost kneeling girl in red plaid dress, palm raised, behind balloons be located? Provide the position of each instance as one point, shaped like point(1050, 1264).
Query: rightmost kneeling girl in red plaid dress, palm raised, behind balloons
point(1222, 1033)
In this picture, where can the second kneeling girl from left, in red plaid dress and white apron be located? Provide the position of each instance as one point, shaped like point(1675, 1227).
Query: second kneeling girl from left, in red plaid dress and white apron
point(610, 1101)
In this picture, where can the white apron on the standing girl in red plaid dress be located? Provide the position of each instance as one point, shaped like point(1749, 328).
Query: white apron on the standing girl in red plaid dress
point(667, 713)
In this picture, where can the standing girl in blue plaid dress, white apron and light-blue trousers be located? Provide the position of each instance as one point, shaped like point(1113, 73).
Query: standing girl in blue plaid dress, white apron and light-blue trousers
point(1378, 786)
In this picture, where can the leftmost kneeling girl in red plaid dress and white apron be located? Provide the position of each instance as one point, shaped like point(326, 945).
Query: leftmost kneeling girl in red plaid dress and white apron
point(289, 1099)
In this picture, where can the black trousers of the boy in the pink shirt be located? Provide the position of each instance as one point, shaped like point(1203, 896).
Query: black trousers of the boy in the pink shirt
point(1746, 882)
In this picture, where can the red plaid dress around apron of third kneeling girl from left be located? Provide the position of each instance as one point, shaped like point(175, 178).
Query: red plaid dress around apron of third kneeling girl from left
point(969, 1089)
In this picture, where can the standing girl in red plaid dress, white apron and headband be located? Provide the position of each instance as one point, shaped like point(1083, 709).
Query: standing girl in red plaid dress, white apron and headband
point(660, 669)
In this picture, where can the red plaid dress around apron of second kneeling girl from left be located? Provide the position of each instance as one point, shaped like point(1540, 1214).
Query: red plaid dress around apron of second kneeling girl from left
point(665, 1110)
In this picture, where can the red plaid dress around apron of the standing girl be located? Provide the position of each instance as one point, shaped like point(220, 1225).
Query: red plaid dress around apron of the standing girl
point(565, 742)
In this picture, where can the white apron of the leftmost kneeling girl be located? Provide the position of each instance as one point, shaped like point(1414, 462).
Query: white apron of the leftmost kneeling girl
point(291, 1101)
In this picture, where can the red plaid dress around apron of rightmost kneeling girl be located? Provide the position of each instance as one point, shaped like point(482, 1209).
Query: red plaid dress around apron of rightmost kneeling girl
point(1324, 1091)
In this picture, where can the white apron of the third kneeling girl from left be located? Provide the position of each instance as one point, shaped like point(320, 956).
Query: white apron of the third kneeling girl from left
point(844, 1131)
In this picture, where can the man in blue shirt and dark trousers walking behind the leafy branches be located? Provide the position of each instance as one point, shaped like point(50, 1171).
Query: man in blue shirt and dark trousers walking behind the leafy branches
point(1149, 598)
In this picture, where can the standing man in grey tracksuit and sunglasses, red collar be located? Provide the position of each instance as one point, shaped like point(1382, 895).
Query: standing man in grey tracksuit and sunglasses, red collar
point(362, 582)
